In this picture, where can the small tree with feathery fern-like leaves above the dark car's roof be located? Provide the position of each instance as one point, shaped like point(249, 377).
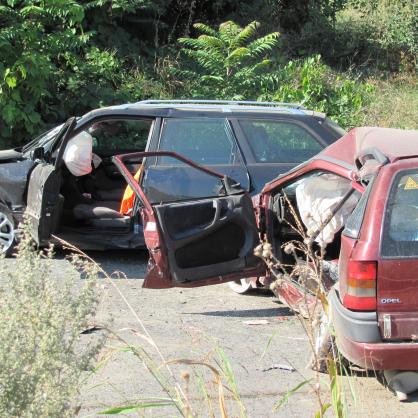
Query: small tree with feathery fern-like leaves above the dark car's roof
point(228, 63)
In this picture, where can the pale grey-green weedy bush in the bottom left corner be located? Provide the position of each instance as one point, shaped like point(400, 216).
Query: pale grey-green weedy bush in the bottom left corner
point(41, 318)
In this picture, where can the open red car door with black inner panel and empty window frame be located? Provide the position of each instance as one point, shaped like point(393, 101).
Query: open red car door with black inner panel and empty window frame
point(199, 241)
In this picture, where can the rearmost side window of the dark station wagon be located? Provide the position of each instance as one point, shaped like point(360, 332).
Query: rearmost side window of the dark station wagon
point(279, 142)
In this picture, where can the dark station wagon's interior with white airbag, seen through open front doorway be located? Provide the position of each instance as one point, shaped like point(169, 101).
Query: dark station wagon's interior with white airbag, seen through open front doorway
point(90, 200)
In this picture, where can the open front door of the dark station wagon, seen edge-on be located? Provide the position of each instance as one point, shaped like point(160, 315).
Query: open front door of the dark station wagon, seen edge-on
point(43, 201)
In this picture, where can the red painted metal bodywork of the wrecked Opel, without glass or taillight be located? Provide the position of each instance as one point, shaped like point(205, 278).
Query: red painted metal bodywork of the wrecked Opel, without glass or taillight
point(397, 279)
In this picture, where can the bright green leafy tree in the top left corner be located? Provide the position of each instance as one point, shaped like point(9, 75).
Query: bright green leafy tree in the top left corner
point(36, 39)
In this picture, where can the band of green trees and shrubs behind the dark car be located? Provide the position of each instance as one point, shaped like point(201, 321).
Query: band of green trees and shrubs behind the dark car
point(64, 57)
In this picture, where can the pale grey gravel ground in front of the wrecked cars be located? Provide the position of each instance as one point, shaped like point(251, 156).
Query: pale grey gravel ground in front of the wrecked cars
point(190, 324)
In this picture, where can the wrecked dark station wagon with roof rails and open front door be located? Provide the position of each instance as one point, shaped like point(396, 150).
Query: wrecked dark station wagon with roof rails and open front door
point(68, 185)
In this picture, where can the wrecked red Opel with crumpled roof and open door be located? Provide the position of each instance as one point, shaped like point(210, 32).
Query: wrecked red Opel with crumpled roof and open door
point(368, 179)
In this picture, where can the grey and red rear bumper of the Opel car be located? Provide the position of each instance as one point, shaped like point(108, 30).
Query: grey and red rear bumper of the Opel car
point(358, 338)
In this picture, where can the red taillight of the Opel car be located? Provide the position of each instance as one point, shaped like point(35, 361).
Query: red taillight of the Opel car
point(361, 286)
